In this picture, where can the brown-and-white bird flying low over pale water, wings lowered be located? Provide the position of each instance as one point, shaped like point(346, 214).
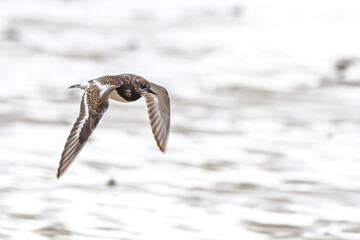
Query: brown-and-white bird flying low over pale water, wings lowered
point(95, 102)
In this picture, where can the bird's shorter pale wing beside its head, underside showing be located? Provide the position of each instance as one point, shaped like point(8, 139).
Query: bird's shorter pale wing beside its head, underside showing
point(159, 114)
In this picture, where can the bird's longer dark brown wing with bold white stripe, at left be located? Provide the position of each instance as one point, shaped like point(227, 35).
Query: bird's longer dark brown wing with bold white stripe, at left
point(94, 103)
